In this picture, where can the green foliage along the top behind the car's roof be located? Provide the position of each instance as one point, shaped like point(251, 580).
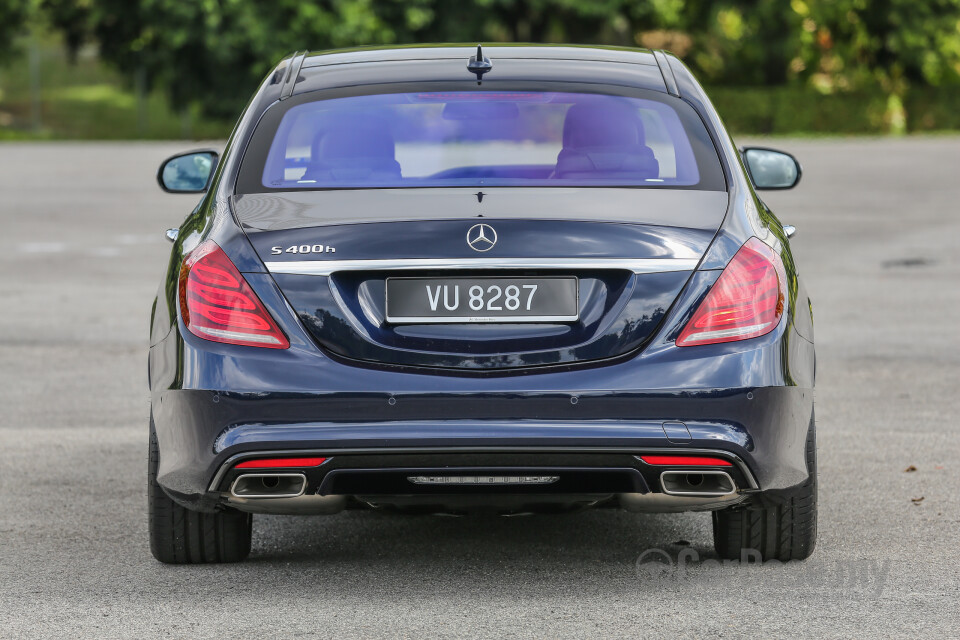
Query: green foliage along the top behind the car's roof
point(876, 59)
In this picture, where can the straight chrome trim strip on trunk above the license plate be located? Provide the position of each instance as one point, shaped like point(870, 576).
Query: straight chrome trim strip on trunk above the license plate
point(327, 267)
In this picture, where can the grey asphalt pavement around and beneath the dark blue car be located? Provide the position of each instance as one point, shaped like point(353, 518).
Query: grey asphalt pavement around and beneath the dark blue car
point(81, 254)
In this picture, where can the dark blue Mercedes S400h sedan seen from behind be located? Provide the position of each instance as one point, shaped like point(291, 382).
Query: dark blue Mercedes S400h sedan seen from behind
point(453, 280)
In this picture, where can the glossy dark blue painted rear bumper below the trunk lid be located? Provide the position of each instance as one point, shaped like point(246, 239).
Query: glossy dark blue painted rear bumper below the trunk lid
point(216, 404)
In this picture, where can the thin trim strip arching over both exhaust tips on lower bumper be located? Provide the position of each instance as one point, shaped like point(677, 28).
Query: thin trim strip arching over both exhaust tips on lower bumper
point(228, 464)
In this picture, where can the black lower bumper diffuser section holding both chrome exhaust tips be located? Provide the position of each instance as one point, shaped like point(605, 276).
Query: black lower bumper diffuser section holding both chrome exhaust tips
point(503, 481)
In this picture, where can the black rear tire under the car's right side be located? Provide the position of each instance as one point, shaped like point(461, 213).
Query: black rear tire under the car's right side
point(780, 526)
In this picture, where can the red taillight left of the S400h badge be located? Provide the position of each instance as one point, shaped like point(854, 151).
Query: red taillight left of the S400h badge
point(217, 303)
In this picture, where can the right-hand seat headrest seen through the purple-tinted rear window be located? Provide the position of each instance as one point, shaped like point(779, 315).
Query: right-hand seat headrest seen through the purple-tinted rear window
point(606, 123)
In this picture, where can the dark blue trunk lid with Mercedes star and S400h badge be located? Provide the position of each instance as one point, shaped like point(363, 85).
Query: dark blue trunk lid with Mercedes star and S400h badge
point(631, 251)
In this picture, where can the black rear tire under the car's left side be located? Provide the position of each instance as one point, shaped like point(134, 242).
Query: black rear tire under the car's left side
point(182, 536)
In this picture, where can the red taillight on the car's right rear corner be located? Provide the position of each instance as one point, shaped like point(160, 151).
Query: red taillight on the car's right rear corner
point(746, 301)
